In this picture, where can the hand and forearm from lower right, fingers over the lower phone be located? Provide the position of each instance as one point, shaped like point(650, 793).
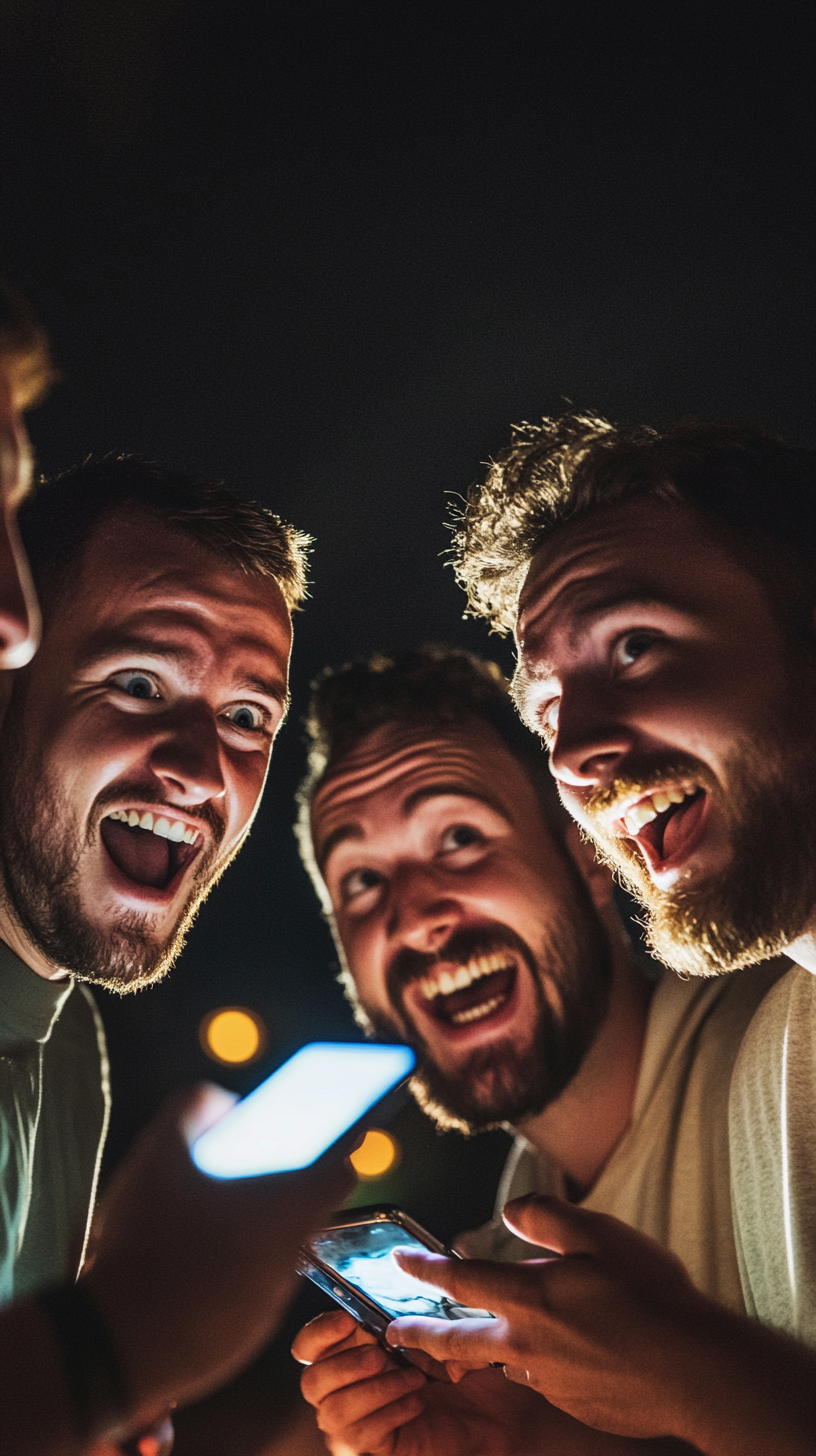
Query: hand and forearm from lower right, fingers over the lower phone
point(616, 1334)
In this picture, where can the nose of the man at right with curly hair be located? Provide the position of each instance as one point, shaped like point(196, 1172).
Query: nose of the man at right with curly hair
point(591, 740)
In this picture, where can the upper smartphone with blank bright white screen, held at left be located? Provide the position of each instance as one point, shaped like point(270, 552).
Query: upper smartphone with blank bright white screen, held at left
point(323, 1096)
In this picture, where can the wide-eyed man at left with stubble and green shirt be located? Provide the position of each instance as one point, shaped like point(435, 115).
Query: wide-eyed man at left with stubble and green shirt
point(135, 752)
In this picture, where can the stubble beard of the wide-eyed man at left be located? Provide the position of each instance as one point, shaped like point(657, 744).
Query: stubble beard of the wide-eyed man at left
point(42, 850)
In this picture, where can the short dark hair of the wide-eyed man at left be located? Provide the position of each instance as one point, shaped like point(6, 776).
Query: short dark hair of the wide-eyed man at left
point(62, 516)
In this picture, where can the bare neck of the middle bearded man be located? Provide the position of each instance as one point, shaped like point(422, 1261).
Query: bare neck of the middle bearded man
point(582, 1128)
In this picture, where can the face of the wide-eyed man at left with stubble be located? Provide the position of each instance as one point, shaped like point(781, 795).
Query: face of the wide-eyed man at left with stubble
point(136, 748)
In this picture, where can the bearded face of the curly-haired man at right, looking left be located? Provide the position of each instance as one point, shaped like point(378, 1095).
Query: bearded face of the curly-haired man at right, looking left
point(681, 727)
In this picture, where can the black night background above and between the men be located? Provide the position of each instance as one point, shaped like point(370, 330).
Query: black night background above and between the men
point(330, 253)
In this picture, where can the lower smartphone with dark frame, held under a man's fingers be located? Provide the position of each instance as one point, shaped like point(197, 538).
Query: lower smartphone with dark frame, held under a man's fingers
point(352, 1262)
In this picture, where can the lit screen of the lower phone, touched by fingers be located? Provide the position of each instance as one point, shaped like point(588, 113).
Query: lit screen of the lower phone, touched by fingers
point(362, 1254)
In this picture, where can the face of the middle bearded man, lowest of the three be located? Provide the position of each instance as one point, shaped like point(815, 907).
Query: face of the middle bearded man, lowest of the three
point(467, 931)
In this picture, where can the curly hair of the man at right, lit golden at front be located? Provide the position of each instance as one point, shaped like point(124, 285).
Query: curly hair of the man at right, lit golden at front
point(751, 486)
